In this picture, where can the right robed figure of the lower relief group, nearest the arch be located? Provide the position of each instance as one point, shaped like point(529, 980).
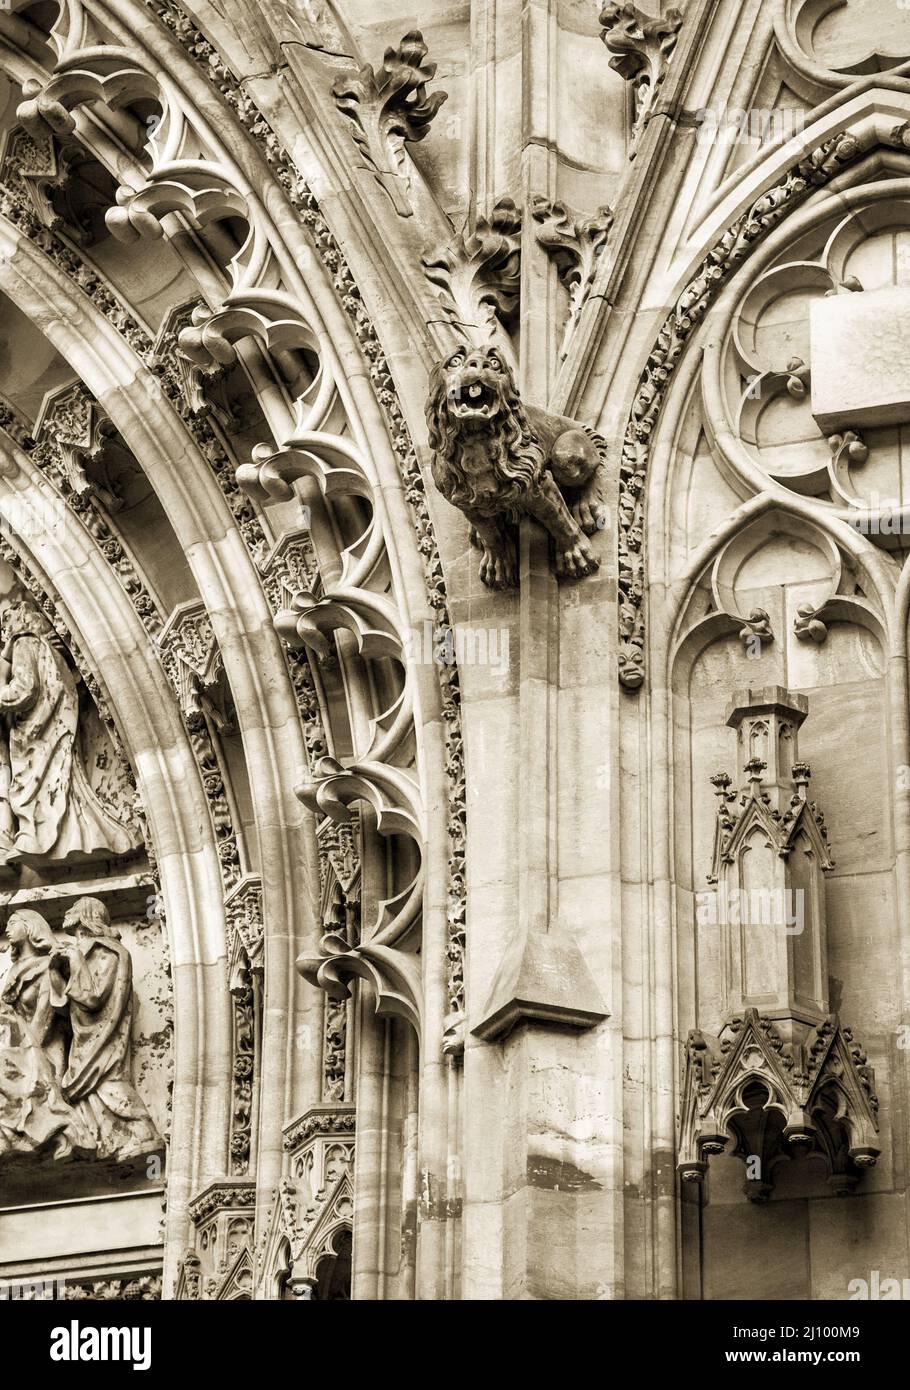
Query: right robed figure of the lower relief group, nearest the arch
point(99, 995)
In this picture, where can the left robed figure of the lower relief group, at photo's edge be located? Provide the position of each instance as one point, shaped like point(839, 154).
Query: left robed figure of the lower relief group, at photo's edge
point(34, 1114)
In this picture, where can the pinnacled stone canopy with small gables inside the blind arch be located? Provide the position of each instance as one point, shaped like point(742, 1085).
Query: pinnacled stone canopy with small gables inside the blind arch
point(783, 1079)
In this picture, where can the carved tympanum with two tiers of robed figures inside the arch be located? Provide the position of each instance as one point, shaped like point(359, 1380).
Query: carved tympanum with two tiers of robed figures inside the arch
point(85, 988)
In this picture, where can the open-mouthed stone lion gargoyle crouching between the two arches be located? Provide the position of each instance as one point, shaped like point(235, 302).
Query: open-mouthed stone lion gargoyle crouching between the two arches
point(498, 461)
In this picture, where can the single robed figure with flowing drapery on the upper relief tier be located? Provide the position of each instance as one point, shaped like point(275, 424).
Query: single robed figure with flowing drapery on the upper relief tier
point(49, 807)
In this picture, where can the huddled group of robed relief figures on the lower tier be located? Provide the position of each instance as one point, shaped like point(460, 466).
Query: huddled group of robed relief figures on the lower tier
point(66, 1022)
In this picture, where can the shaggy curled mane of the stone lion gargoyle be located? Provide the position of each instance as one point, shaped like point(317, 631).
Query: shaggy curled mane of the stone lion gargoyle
point(515, 452)
